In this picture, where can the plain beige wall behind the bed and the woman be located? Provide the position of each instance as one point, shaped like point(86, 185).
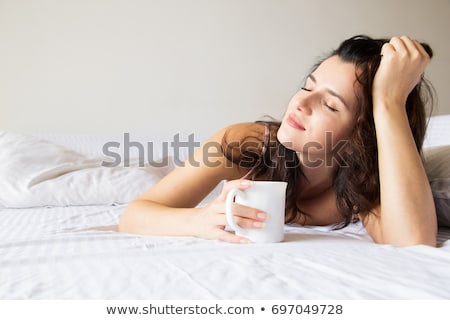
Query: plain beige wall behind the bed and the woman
point(168, 66)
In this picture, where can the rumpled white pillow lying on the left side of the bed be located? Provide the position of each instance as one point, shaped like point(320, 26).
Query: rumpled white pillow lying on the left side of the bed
point(36, 172)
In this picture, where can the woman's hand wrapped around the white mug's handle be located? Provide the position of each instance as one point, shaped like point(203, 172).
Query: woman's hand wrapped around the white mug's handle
point(211, 221)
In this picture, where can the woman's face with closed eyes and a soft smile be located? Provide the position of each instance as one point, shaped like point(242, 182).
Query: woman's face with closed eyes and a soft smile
point(320, 117)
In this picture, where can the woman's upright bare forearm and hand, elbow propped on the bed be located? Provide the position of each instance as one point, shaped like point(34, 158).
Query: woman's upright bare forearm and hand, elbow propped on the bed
point(406, 214)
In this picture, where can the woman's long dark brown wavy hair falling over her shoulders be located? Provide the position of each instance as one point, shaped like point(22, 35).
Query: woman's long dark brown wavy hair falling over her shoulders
point(356, 184)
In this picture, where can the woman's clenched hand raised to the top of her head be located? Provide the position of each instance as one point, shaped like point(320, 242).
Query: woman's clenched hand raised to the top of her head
point(402, 64)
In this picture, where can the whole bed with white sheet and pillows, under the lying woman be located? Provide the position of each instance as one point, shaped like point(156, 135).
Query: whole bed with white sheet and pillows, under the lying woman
point(59, 207)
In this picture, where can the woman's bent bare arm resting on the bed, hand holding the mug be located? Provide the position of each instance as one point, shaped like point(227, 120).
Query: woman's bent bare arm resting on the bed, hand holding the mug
point(168, 208)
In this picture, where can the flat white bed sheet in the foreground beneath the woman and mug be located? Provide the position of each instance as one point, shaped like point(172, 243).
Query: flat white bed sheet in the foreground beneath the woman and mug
point(71, 253)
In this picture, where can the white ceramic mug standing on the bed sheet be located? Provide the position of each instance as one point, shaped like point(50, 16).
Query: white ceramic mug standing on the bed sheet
point(267, 196)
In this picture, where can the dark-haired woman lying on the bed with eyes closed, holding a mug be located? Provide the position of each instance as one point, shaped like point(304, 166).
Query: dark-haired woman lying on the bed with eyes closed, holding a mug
point(349, 146)
